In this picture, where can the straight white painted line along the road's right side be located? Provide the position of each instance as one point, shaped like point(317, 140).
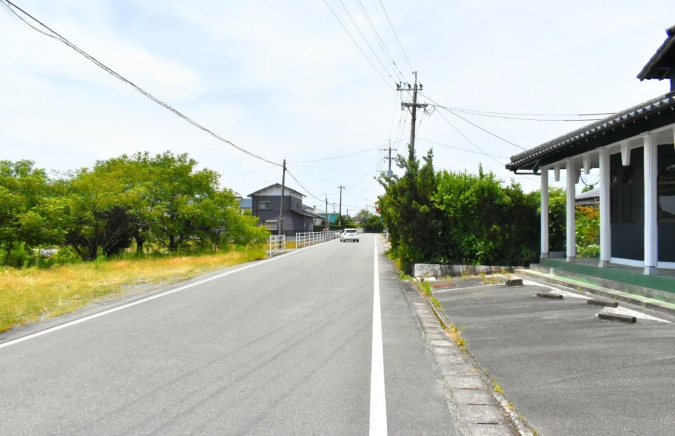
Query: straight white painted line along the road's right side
point(378, 401)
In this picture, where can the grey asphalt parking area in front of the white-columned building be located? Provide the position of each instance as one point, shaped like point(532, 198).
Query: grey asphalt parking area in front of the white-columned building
point(565, 370)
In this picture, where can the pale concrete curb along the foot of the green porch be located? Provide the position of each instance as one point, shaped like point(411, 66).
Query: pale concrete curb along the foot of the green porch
point(638, 300)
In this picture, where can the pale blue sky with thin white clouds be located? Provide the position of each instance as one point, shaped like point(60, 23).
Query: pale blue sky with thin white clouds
point(284, 80)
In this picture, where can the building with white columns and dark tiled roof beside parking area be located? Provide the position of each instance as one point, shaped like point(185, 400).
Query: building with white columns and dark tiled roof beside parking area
point(634, 152)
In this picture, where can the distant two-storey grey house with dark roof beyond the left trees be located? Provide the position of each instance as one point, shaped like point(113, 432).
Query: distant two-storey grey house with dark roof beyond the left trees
point(266, 204)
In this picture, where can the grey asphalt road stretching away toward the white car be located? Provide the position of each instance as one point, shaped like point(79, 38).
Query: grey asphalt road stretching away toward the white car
point(280, 347)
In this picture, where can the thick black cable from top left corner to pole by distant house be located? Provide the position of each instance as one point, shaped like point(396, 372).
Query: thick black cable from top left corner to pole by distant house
point(57, 36)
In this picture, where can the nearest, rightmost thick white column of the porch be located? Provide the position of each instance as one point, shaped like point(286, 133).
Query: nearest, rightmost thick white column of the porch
point(651, 199)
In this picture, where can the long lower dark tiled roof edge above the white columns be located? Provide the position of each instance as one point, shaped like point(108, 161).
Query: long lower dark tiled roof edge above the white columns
point(529, 159)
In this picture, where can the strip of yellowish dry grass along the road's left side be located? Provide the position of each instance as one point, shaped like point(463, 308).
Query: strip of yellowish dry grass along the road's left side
point(31, 294)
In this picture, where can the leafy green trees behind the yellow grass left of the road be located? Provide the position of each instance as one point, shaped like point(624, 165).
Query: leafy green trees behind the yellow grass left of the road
point(157, 204)
